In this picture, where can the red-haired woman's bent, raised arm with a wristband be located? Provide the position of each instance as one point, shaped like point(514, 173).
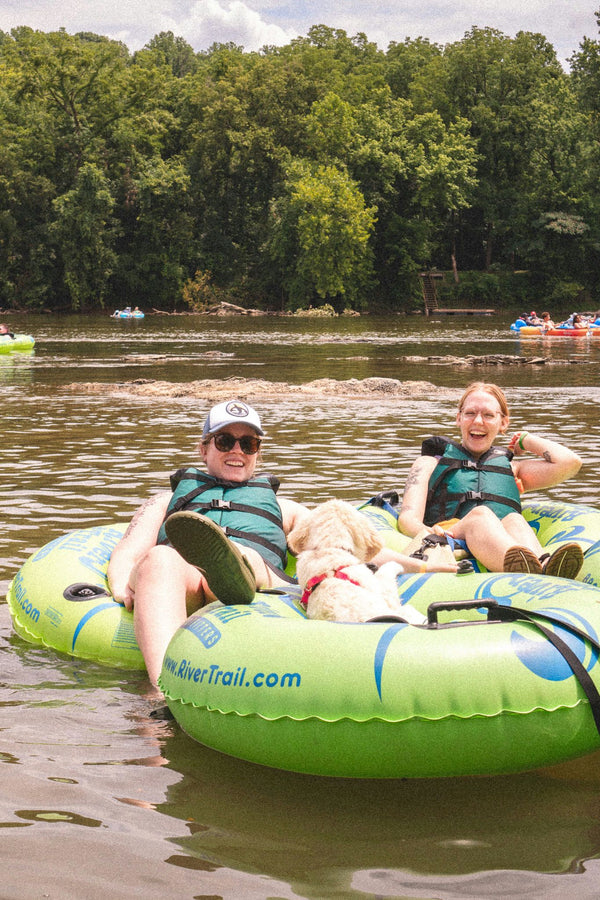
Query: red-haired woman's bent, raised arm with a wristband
point(550, 464)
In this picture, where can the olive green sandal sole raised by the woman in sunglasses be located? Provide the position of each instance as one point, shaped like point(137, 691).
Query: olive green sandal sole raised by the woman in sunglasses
point(204, 545)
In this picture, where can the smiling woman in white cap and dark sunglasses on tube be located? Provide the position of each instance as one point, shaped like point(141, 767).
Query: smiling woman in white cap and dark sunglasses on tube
point(146, 573)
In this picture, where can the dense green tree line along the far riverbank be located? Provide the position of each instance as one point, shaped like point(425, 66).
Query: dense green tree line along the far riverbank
point(323, 171)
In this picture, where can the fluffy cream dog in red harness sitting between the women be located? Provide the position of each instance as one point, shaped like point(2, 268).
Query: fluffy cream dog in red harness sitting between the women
point(333, 545)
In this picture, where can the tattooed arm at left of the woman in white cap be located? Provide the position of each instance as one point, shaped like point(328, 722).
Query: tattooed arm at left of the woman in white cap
point(141, 534)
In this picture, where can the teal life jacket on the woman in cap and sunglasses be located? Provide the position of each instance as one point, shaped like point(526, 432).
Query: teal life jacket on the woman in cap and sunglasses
point(247, 511)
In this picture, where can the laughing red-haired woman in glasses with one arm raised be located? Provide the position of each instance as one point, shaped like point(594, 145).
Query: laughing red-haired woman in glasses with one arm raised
point(470, 490)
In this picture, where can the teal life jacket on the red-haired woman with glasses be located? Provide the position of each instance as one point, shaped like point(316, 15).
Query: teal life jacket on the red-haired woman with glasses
point(461, 482)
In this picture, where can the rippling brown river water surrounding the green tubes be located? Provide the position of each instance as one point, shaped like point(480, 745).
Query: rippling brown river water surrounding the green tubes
point(98, 798)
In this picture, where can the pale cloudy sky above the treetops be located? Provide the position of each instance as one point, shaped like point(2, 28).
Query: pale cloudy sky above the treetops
point(254, 23)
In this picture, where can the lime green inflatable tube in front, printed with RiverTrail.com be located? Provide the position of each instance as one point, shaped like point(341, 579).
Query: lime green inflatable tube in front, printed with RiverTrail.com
point(386, 699)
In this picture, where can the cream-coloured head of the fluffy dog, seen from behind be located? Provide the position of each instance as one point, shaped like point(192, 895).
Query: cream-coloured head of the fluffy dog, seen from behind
point(336, 523)
